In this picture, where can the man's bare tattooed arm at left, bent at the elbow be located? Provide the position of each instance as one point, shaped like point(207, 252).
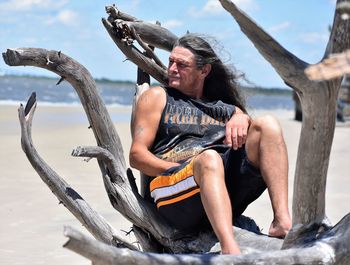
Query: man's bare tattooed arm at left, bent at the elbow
point(148, 112)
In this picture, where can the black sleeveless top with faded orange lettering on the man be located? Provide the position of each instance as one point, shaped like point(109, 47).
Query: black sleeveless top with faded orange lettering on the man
point(188, 126)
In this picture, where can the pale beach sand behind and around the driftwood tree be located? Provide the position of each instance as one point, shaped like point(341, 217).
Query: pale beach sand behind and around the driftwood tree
point(32, 220)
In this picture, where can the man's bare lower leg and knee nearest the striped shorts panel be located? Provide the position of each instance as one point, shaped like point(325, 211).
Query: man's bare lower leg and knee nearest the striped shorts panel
point(209, 174)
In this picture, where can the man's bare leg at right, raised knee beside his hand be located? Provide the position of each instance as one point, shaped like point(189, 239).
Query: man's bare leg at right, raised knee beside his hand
point(266, 149)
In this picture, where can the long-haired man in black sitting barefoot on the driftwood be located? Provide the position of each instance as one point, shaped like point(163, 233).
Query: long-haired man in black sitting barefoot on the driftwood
point(209, 159)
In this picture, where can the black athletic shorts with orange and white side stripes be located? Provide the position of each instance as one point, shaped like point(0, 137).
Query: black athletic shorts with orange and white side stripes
point(177, 195)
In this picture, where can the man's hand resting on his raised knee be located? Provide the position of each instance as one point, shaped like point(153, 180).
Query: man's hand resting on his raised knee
point(237, 129)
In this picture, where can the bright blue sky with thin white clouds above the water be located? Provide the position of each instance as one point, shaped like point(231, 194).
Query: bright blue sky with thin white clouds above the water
point(75, 28)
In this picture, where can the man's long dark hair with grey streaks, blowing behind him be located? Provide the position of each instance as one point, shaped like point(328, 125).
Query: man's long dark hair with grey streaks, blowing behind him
point(221, 82)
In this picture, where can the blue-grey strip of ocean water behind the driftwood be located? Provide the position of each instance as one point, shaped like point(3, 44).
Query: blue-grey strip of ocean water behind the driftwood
point(17, 89)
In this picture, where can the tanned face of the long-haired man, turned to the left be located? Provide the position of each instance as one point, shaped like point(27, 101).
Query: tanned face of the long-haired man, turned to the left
point(183, 73)
